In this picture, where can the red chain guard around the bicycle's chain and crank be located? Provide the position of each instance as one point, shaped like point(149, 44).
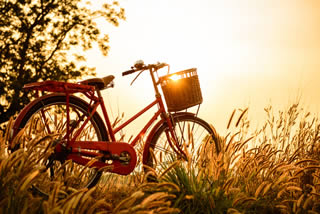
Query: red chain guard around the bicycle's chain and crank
point(115, 157)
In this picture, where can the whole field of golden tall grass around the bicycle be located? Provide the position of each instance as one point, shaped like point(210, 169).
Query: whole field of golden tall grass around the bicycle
point(273, 169)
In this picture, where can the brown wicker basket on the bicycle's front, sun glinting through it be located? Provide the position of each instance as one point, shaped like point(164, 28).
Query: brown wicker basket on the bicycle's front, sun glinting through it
point(182, 93)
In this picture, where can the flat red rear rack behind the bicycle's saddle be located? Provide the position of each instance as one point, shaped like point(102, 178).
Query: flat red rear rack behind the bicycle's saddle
point(56, 86)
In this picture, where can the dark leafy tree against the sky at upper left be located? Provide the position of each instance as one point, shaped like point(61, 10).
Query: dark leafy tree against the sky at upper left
point(46, 39)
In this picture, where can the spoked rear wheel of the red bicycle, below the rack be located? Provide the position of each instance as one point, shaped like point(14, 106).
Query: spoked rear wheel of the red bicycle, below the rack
point(44, 125)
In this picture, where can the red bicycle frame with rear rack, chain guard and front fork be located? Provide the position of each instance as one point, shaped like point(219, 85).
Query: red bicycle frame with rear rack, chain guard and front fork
point(79, 150)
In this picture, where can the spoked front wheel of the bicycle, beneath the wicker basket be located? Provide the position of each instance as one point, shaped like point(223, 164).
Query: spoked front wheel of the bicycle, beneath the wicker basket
point(162, 153)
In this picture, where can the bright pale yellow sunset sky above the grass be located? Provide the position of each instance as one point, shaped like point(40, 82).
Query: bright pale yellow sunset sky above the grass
point(249, 53)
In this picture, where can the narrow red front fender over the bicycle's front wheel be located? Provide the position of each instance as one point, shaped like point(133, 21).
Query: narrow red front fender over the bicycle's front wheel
point(154, 130)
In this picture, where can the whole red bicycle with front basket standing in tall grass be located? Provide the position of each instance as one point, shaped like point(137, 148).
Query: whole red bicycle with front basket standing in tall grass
point(81, 141)
